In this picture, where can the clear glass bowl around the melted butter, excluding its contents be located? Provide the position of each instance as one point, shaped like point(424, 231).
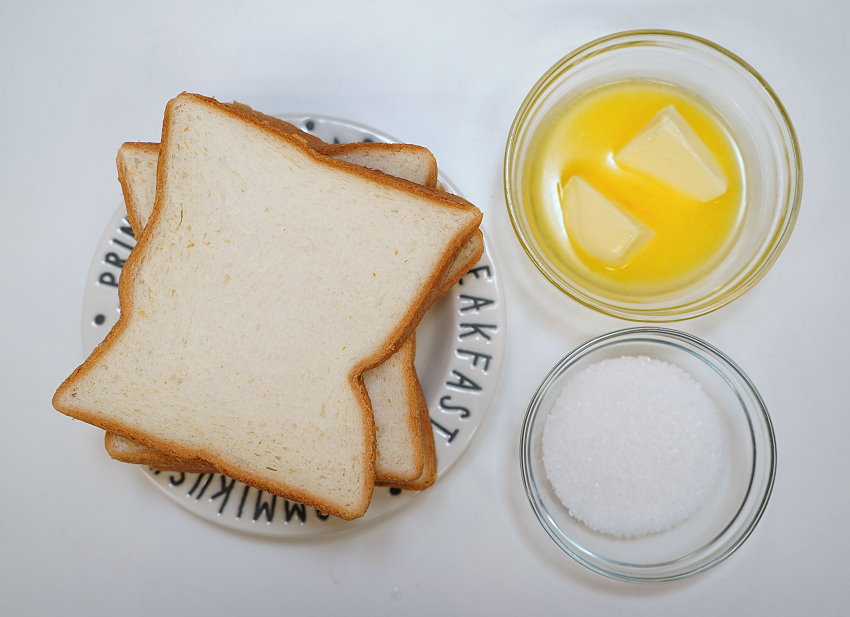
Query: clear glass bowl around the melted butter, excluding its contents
point(755, 118)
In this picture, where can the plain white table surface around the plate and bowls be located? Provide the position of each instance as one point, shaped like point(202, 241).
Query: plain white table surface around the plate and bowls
point(81, 535)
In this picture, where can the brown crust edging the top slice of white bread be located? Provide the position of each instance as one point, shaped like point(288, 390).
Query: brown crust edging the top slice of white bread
point(63, 398)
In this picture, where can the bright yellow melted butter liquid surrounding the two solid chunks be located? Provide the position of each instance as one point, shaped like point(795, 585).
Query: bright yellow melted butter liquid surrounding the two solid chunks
point(581, 139)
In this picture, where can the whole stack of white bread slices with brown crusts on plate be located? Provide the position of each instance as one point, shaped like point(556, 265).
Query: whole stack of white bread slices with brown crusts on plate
point(269, 307)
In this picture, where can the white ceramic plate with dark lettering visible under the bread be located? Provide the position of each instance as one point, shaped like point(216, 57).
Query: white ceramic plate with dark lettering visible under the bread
point(460, 345)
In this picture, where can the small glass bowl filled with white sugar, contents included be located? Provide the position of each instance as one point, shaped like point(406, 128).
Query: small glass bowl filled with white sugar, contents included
point(647, 455)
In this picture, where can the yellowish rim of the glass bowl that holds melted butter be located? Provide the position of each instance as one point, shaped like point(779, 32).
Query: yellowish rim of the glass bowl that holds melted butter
point(713, 300)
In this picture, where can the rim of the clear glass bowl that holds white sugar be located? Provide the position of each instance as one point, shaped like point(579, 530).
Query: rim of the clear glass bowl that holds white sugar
point(759, 414)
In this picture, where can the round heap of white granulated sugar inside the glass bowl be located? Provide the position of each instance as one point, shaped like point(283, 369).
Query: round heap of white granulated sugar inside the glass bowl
point(632, 446)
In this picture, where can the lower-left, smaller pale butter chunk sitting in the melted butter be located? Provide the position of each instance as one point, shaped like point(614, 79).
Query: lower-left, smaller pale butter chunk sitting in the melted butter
point(599, 226)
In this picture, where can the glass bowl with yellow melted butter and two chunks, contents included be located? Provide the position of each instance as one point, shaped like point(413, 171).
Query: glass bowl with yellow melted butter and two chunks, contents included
point(652, 175)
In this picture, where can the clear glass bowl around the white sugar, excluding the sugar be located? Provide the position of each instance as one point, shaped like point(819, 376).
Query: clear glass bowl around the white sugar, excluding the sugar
point(722, 523)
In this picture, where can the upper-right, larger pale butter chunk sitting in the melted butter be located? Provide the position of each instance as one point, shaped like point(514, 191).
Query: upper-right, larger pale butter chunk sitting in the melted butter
point(668, 149)
